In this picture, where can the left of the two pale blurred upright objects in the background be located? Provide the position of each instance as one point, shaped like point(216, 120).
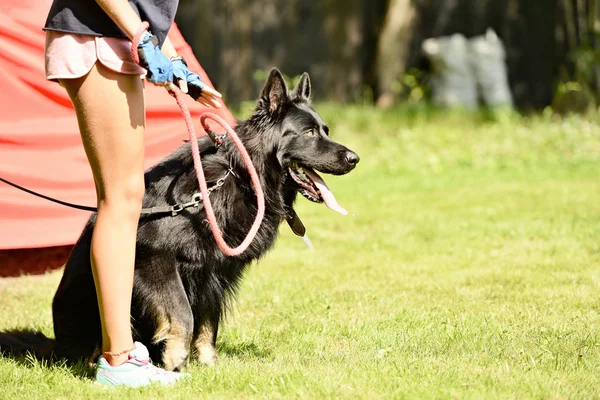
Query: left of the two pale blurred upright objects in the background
point(453, 81)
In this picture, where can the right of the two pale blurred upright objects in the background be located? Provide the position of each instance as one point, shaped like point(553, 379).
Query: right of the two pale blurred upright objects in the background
point(488, 59)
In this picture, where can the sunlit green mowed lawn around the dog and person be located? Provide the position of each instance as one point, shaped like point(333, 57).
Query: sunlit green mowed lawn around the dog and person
point(469, 267)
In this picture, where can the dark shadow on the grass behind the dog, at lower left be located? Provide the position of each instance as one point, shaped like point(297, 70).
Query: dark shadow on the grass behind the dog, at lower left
point(33, 349)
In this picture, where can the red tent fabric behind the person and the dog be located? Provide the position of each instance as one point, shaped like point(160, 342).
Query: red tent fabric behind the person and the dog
point(40, 147)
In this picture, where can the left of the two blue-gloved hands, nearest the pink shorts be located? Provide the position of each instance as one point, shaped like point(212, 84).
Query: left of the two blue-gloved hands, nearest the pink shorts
point(159, 67)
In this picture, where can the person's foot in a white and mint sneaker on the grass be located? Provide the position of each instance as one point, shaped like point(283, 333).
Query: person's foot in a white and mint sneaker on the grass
point(135, 372)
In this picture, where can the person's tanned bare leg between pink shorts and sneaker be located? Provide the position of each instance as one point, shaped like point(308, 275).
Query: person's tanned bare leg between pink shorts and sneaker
point(111, 115)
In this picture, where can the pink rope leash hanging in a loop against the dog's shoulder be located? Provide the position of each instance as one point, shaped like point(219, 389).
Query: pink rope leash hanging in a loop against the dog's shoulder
point(210, 214)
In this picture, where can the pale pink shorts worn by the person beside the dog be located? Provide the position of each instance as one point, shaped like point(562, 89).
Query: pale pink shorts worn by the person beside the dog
point(71, 55)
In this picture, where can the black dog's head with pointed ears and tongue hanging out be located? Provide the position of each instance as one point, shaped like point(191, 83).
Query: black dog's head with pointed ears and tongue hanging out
point(300, 139)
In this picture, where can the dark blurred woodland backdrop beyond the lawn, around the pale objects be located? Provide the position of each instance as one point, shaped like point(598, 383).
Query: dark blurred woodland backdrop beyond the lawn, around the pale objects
point(353, 47)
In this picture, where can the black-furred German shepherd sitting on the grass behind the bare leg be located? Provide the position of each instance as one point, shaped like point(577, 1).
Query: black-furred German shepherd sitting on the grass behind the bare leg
point(182, 279)
